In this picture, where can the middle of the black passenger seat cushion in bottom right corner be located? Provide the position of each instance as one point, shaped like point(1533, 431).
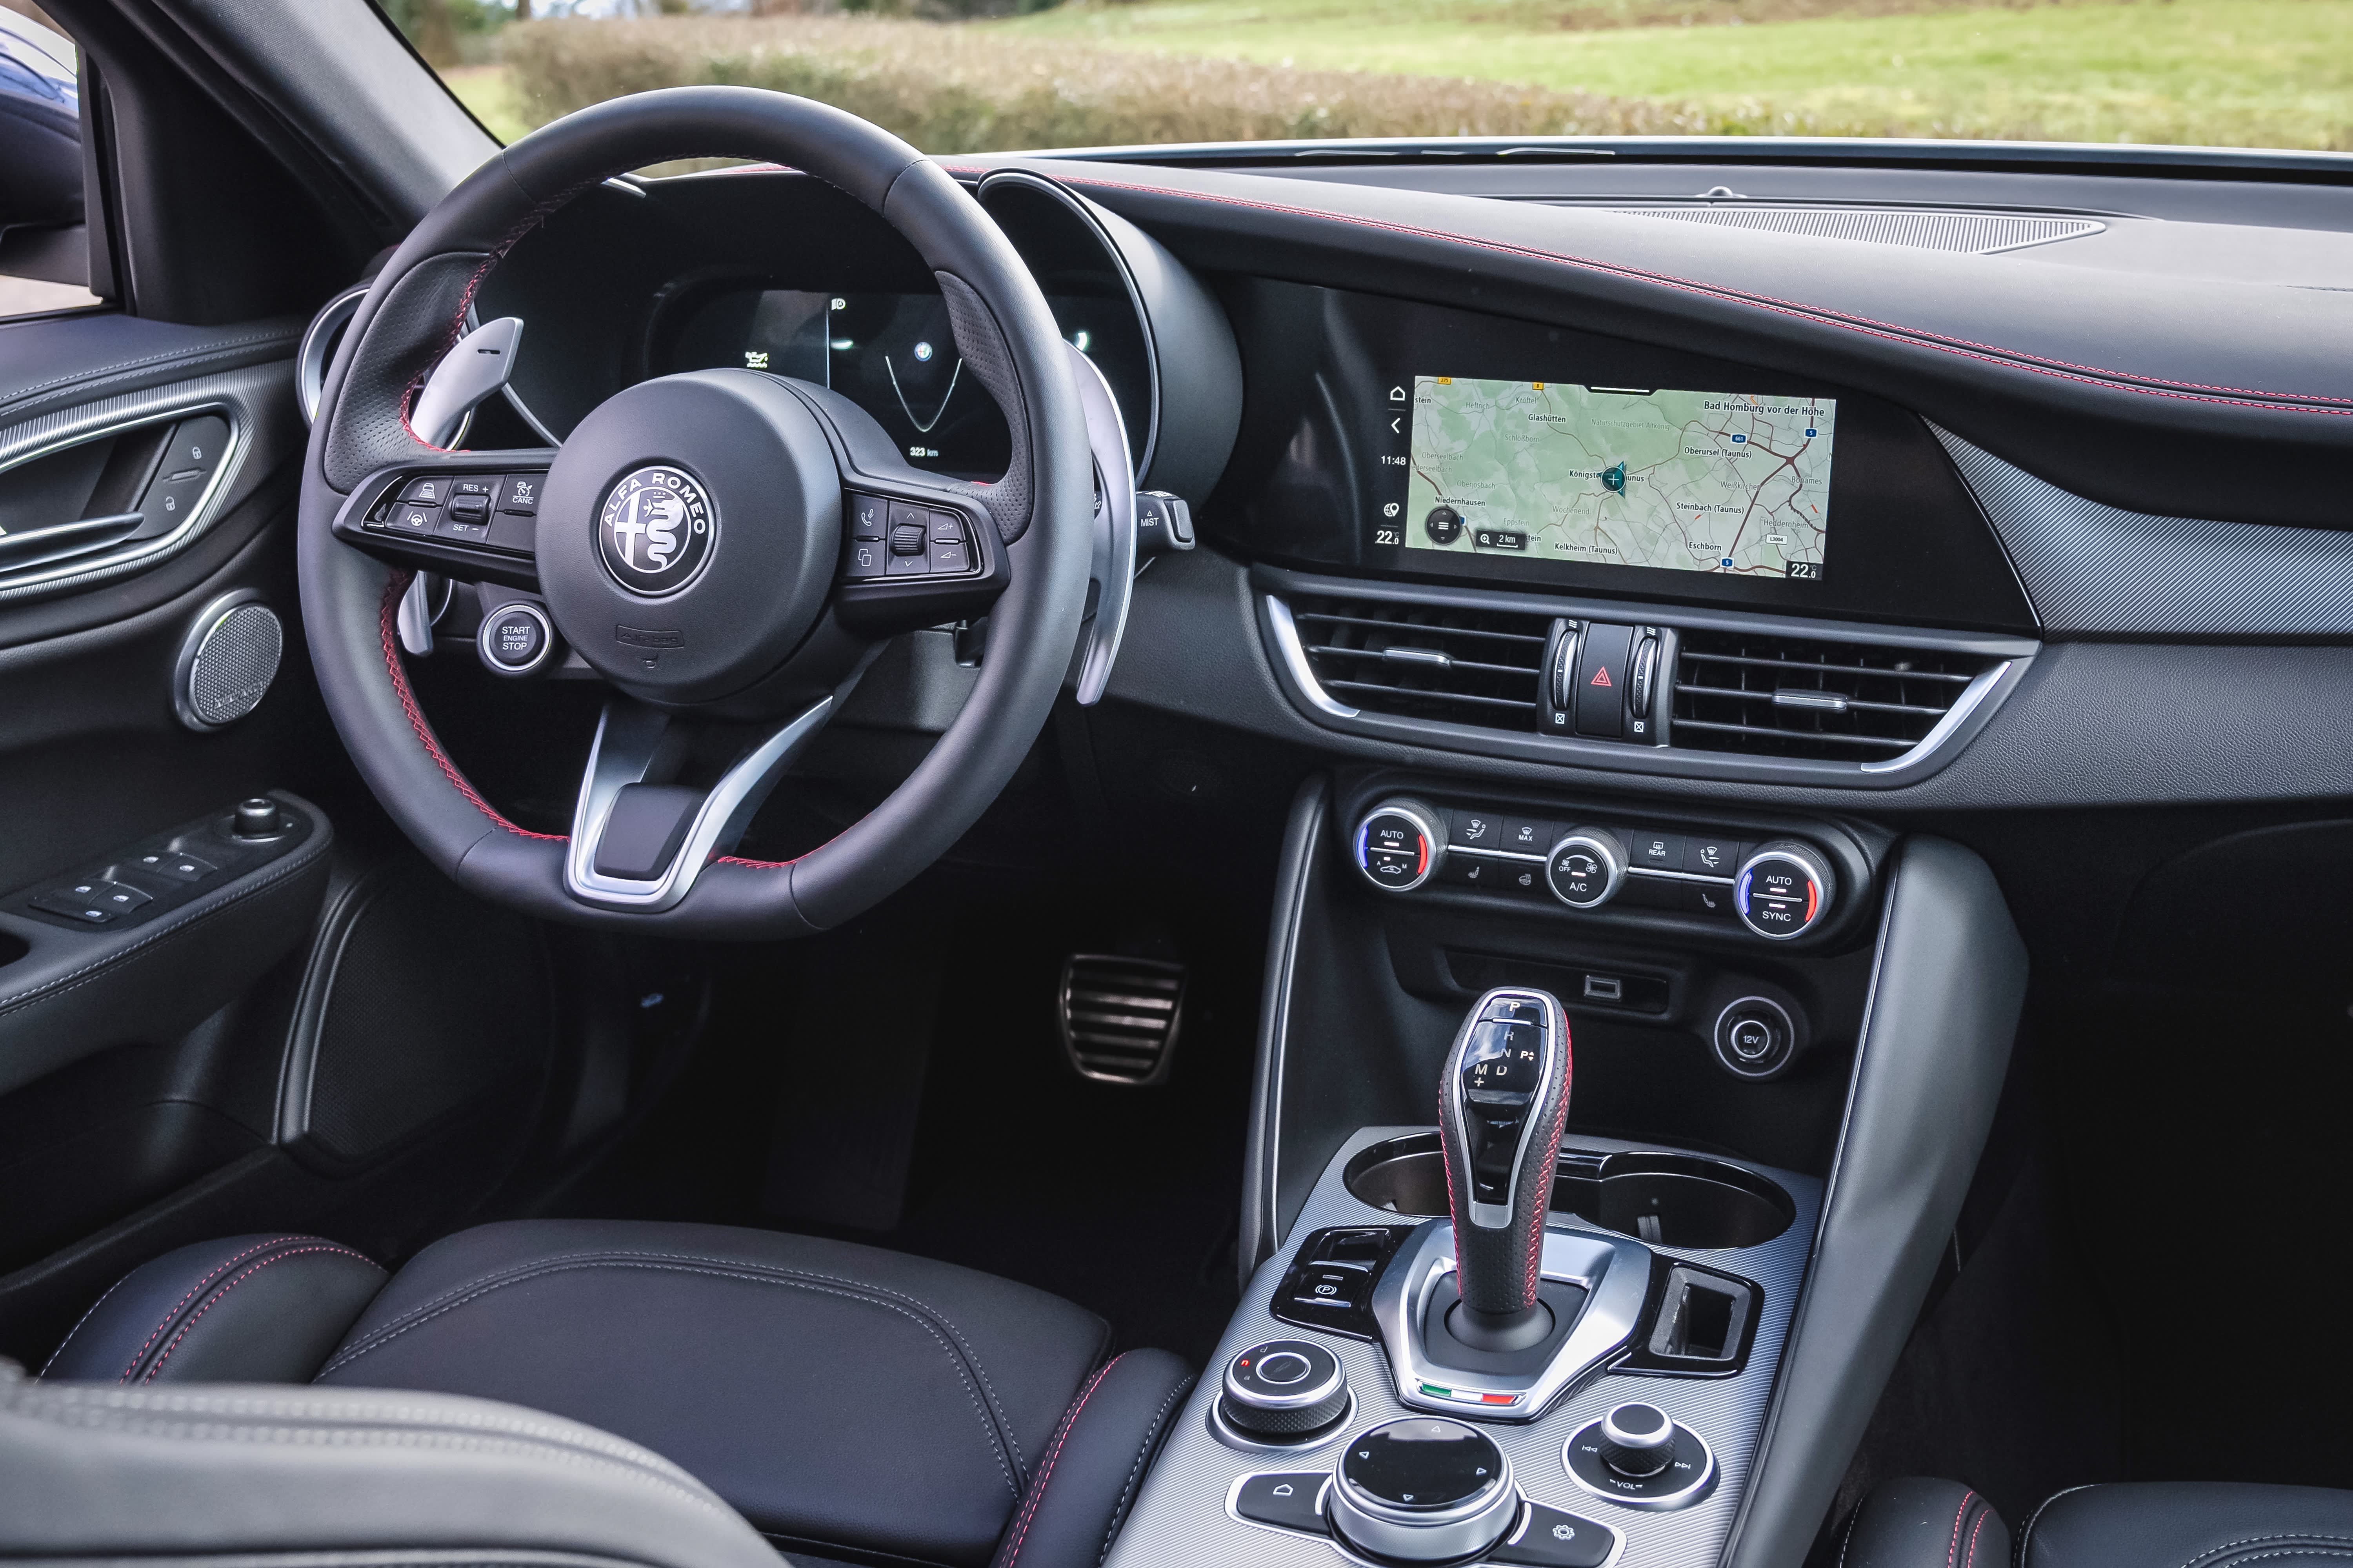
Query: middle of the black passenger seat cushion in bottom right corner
point(2192, 1524)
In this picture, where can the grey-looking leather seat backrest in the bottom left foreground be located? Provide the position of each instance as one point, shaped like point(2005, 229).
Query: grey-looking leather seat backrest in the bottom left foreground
point(276, 1473)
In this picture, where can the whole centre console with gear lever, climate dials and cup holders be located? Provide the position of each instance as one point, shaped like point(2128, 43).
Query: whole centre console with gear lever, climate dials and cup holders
point(1707, 1096)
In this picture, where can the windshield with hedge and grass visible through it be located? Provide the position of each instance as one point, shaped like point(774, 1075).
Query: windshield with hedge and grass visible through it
point(968, 77)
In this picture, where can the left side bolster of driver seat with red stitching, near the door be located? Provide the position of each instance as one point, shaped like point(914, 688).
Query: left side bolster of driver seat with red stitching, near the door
point(241, 1310)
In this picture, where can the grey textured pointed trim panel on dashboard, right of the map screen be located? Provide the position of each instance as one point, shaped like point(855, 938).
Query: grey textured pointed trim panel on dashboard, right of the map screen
point(2095, 569)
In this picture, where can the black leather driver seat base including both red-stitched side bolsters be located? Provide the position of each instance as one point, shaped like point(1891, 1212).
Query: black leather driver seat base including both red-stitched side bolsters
point(839, 1397)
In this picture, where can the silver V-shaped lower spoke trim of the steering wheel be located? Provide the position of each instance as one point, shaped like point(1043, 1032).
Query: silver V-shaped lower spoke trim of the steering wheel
point(620, 757)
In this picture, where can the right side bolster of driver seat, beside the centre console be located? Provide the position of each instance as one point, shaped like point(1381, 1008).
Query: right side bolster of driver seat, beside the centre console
point(1091, 1473)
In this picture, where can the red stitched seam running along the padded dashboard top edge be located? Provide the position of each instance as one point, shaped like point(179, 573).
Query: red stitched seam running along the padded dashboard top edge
point(2011, 359)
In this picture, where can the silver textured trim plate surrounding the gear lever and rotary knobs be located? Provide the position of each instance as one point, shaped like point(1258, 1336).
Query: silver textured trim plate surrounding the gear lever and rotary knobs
point(1182, 1520)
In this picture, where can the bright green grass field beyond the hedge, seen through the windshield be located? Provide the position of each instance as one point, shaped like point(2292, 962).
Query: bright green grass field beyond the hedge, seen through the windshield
point(2182, 72)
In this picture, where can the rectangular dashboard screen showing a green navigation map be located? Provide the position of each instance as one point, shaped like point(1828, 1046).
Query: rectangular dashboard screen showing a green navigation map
point(1639, 477)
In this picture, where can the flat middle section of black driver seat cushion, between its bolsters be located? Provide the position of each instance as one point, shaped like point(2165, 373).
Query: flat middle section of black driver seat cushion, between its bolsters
point(836, 1395)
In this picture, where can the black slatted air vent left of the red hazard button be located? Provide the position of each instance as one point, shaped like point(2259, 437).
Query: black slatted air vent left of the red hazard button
point(1467, 667)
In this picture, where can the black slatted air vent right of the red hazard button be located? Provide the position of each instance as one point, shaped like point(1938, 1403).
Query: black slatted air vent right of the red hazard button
point(1851, 703)
